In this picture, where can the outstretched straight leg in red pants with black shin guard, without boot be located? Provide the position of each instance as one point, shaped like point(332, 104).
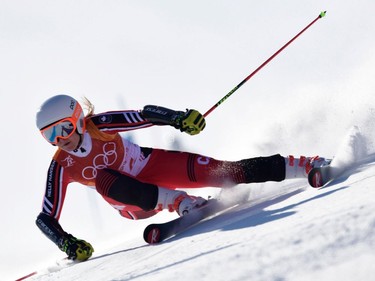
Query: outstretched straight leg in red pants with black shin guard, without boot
point(189, 170)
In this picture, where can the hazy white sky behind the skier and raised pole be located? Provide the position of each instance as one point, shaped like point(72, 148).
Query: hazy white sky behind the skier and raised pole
point(126, 54)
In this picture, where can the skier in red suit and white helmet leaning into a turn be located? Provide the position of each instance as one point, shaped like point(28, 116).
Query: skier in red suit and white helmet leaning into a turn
point(138, 181)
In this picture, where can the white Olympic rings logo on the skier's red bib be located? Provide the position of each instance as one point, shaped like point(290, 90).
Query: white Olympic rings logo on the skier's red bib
point(101, 161)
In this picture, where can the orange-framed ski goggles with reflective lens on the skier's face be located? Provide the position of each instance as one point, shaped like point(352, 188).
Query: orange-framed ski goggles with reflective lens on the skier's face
point(62, 129)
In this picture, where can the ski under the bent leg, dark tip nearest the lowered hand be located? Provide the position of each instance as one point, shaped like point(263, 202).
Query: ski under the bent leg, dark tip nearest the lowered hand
point(158, 232)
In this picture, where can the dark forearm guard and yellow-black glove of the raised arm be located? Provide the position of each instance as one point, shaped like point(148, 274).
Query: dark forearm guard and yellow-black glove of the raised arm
point(191, 121)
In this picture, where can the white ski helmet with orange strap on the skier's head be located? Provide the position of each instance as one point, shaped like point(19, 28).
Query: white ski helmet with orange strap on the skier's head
point(59, 107)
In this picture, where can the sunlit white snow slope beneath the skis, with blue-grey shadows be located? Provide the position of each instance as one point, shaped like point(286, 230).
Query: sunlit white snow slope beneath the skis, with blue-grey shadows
point(287, 231)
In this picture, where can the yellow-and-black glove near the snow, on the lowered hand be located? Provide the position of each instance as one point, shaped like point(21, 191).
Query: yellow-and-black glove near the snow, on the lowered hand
point(76, 249)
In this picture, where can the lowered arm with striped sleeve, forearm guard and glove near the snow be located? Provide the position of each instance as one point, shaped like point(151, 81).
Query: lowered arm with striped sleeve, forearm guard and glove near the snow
point(47, 220)
